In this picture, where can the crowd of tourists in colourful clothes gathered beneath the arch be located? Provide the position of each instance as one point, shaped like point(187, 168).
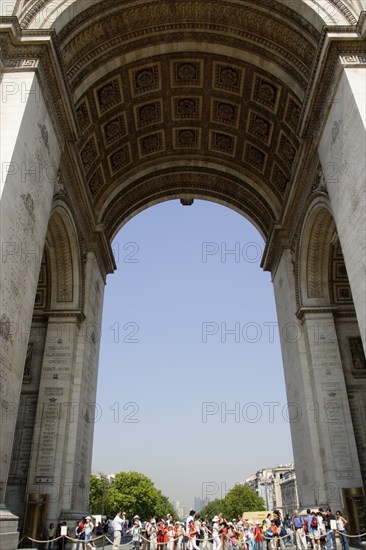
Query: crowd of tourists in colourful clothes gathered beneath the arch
point(315, 529)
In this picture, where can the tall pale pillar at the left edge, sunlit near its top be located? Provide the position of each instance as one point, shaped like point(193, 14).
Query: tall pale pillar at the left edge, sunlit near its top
point(30, 157)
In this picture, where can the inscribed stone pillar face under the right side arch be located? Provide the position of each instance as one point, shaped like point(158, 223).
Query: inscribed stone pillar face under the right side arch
point(338, 451)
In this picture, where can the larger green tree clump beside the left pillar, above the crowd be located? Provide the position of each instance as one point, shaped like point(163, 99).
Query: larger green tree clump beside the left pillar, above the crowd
point(131, 492)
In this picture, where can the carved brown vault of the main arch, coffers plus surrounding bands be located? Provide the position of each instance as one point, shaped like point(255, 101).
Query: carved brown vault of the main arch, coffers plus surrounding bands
point(230, 106)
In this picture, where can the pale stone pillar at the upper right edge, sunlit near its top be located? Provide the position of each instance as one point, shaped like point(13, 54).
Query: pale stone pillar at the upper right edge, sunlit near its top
point(342, 154)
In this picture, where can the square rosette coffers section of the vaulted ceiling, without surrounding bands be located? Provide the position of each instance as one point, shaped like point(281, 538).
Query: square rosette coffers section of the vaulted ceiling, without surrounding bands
point(192, 107)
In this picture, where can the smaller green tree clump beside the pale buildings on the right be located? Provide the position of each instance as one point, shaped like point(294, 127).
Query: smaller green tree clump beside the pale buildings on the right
point(240, 499)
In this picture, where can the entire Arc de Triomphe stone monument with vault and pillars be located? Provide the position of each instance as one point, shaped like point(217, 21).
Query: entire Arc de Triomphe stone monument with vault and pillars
point(108, 107)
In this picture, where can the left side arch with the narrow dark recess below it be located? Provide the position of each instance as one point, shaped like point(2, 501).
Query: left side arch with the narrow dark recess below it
point(58, 293)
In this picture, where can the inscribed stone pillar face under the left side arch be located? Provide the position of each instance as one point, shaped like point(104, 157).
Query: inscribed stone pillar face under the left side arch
point(55, 411)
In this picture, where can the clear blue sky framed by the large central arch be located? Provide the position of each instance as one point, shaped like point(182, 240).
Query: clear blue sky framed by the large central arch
point(189, 334)
